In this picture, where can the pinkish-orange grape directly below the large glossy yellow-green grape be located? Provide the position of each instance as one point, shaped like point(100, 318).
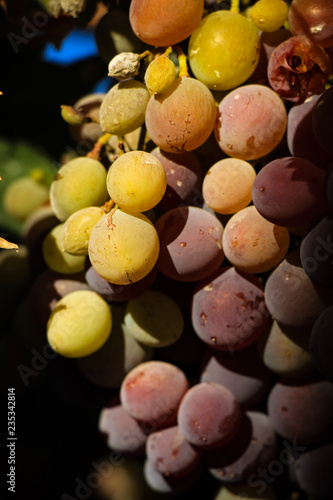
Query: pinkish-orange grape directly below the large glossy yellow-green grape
point(247, 127)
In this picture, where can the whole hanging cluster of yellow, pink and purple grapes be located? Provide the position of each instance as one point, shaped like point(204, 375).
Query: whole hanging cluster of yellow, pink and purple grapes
point(187, 257)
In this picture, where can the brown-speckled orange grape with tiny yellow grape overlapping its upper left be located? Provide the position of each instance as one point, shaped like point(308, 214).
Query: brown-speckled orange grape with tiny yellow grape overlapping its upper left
point(183, 117)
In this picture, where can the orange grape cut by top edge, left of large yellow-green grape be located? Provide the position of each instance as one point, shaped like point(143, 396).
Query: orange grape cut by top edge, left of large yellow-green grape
point(166, 23)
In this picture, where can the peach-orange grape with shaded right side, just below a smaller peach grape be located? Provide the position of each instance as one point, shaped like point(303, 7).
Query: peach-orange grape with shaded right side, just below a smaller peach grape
point(252, 244)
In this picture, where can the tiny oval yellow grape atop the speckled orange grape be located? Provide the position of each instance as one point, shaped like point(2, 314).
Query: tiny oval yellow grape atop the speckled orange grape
point(160, 74)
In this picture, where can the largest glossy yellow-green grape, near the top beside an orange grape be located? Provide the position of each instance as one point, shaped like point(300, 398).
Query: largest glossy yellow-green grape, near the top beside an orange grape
point(224, 50)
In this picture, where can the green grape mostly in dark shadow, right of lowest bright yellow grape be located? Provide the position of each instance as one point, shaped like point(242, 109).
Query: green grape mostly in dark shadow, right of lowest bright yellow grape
point(154, 319)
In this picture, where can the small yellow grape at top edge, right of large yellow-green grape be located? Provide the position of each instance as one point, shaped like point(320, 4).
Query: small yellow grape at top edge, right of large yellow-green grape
point(269, 15)
